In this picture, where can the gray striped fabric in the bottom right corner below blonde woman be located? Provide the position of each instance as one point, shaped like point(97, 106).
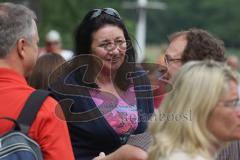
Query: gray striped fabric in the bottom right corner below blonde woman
point(230, 152)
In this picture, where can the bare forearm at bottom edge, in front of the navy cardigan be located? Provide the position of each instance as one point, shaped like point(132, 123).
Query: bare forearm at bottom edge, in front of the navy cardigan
point(125, 152)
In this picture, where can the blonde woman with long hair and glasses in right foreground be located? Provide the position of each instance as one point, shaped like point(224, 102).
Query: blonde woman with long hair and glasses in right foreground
point(199, 116)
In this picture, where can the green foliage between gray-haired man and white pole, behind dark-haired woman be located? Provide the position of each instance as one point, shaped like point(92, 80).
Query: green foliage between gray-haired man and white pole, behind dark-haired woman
point(64, 16)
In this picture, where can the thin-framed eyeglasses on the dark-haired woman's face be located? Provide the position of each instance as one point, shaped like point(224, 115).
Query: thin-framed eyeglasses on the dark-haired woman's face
point(123, 45)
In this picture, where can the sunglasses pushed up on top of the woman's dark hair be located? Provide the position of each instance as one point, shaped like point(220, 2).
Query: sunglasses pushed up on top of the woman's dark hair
point(108, 11)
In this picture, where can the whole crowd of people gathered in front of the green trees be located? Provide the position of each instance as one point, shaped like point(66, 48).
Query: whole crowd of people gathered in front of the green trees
point(103, 105)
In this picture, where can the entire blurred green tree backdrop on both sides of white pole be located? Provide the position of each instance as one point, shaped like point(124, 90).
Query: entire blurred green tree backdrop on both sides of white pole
point(219, 17)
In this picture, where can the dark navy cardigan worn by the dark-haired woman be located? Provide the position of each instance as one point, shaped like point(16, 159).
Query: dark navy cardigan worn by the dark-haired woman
point(97, 135)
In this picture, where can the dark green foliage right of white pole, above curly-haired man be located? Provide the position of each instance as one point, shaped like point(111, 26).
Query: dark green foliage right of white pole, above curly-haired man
point(219, 17)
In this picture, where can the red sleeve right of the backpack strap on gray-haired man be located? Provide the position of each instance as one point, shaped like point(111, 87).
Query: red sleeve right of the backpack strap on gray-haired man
point(51, 133)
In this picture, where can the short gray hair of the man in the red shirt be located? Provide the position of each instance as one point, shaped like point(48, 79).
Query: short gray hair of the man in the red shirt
point(15, 23)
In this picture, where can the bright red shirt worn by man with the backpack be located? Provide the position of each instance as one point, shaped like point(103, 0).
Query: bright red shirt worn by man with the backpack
point(47, 130)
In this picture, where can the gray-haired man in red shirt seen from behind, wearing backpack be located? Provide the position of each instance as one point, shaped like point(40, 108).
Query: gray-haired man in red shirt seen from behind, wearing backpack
point(18, 55)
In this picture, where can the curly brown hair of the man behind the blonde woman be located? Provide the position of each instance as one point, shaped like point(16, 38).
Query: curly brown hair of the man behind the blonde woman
point(201, 45)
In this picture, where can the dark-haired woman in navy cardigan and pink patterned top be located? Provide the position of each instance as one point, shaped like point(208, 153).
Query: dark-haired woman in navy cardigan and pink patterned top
point(111, 86)
